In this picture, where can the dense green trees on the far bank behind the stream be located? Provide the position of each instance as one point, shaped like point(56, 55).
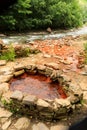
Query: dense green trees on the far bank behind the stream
point(40, 14)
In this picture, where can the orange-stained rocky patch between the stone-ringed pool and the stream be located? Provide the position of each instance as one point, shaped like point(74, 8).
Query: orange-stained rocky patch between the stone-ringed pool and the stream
point(65, 49)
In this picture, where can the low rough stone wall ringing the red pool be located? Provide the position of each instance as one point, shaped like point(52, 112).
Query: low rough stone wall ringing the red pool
point(31, 105)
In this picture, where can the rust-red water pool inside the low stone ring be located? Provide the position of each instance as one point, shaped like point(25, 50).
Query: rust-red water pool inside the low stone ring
point(39, 85)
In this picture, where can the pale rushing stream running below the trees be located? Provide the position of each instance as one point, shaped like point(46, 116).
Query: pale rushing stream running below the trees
point(28, 37)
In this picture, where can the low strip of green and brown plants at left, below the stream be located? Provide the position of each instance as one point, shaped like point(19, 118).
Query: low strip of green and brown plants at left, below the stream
point(11, 53)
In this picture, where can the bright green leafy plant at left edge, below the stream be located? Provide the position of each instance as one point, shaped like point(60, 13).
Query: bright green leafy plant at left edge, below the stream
point(9, 54)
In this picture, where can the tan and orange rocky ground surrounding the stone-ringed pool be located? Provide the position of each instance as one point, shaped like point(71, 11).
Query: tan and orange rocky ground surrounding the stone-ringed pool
point(64, 54)
